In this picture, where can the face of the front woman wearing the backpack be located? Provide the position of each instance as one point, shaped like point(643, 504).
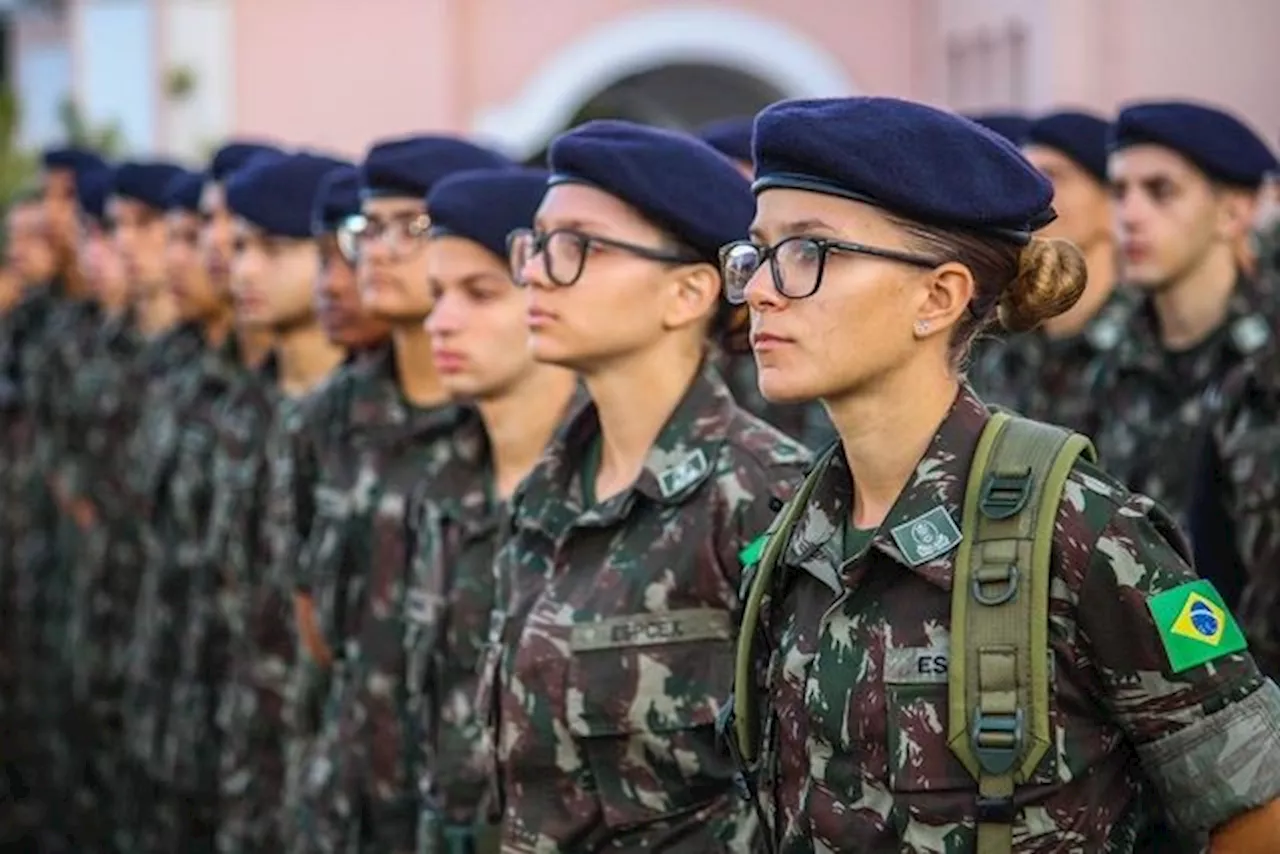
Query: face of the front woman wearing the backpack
point(858, 326)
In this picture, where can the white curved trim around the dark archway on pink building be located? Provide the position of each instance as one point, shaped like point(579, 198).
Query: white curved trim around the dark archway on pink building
point(762, 48)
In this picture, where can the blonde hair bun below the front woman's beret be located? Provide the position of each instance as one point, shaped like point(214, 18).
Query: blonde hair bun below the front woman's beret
point(1052, 277)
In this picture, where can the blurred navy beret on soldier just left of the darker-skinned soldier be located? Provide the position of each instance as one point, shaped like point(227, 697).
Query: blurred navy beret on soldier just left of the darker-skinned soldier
point(277, 194)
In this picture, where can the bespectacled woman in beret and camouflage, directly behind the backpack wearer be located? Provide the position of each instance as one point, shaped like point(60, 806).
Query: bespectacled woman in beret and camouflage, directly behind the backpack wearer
point(623, 568)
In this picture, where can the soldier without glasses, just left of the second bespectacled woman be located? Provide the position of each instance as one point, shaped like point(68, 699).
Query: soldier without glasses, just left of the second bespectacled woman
point(479, 344)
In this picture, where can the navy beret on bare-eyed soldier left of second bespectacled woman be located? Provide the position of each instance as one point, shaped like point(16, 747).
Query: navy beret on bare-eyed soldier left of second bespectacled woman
point(486, 205)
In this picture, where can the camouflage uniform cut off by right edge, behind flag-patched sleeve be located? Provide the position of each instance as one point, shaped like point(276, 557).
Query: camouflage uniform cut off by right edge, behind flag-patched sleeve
point(1236, 513)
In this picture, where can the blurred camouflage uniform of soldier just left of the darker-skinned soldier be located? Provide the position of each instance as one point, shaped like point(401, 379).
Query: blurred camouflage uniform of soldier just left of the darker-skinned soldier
point(253, 533)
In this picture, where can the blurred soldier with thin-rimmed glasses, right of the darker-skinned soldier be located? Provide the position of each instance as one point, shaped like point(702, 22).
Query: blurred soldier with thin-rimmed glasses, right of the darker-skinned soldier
point(371, 439)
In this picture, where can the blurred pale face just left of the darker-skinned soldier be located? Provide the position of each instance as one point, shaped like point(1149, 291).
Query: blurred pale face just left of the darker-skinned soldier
point(273, 278)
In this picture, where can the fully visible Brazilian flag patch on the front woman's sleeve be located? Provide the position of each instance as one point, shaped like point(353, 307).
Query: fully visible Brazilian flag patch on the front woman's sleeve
point(1195, 625)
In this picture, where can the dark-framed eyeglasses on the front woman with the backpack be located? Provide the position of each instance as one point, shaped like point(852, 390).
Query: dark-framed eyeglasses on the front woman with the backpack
point(796, 264)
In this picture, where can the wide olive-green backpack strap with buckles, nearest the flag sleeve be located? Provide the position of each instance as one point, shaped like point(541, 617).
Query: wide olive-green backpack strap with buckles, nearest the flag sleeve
point(999, 686)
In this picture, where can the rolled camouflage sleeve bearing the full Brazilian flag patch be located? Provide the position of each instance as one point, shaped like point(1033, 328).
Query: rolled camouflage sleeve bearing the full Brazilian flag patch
point(1177, 675)
